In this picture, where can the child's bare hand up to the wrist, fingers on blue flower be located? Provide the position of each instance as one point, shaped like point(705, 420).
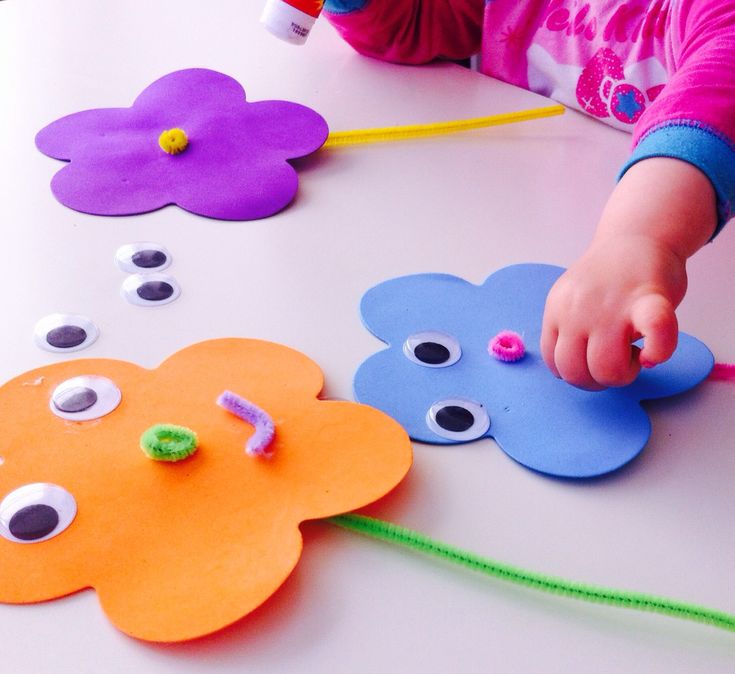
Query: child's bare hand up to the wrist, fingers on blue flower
point(623, 288)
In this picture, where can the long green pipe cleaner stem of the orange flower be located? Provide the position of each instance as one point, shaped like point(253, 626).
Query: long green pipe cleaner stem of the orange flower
point(416, 541)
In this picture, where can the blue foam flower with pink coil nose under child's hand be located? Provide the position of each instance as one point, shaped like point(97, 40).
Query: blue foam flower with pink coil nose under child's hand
point(540, 421)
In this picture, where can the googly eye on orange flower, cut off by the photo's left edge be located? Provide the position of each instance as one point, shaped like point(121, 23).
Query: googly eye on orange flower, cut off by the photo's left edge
point(36, 512)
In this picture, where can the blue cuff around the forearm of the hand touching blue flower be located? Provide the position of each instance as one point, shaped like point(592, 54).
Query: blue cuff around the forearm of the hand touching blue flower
point(700, 146)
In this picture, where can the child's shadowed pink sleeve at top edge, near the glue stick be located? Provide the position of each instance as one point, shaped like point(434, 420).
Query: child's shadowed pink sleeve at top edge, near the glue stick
point(409, 31)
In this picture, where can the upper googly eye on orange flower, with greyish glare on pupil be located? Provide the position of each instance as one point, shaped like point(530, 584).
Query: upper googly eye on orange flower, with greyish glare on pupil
point(84, 398)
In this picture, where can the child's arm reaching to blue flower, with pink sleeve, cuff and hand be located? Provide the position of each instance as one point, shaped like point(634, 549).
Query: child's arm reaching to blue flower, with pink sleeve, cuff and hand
point(677, 191)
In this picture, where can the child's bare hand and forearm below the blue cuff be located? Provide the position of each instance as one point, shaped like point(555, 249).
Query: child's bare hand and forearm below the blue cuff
point(632, 277)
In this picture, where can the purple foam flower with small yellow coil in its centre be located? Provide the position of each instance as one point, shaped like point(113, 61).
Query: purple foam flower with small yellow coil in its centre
point(234, 168)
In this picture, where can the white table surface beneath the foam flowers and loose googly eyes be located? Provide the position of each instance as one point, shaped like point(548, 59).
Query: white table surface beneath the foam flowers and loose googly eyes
point(485, 199)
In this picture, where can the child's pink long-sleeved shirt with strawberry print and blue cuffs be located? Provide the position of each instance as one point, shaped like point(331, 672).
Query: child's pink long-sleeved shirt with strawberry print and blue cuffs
point(664, 69)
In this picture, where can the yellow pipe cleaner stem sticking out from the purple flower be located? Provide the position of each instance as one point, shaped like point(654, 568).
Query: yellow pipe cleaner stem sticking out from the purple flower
point(393, 133)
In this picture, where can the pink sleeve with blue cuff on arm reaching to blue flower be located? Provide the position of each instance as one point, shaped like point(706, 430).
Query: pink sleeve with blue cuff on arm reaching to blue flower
point(693, 119)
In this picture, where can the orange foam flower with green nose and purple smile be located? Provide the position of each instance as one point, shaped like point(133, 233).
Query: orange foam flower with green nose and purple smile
point(178, 550)
